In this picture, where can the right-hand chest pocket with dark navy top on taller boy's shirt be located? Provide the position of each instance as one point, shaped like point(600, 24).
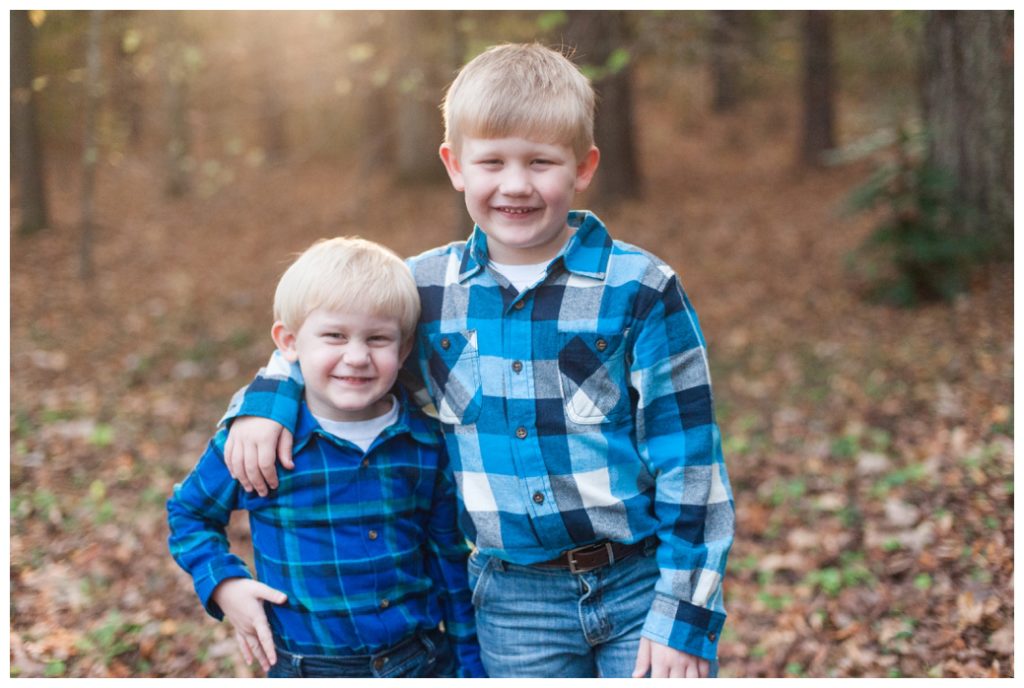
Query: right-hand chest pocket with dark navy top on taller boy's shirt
point(593, 376)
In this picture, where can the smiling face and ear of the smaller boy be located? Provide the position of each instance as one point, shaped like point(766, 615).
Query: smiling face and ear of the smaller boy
point(350, 362)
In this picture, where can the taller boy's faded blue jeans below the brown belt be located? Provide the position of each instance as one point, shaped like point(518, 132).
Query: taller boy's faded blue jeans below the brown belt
point(553, 624)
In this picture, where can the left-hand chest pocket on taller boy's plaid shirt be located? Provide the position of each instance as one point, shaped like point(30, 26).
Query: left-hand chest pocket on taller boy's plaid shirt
point(454, 368)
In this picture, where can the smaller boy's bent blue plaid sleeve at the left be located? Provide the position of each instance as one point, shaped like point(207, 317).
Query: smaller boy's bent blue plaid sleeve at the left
point(198, 514)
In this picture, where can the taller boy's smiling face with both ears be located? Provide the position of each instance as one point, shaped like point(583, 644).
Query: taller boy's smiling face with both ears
point(520, 192)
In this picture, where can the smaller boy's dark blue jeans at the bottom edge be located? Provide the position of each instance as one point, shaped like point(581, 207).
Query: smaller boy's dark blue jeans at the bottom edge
point(425, 655)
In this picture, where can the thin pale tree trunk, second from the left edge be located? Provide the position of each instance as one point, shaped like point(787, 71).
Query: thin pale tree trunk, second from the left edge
point(91, 150)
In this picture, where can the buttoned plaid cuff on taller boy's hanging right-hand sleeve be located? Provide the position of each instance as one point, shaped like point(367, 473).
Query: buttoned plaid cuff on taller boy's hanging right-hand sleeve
point(685, 627)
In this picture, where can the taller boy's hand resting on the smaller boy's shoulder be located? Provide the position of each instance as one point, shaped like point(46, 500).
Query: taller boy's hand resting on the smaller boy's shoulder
point(253, 447)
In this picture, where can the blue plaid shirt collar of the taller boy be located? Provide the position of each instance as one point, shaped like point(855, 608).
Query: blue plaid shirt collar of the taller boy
point(586, 253)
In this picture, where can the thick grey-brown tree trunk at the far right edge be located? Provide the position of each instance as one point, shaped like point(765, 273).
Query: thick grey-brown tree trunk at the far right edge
point(968, 91)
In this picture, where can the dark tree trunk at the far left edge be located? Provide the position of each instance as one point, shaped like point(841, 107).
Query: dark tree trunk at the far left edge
point(27, 155)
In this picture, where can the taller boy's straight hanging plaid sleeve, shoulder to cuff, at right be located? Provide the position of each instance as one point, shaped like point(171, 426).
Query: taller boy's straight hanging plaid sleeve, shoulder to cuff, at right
point(680, 444)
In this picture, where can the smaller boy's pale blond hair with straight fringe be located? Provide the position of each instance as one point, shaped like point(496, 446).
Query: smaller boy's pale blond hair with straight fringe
point(349, 274)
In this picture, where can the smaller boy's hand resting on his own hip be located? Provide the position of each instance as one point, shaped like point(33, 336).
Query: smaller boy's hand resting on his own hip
point(242, 603)
